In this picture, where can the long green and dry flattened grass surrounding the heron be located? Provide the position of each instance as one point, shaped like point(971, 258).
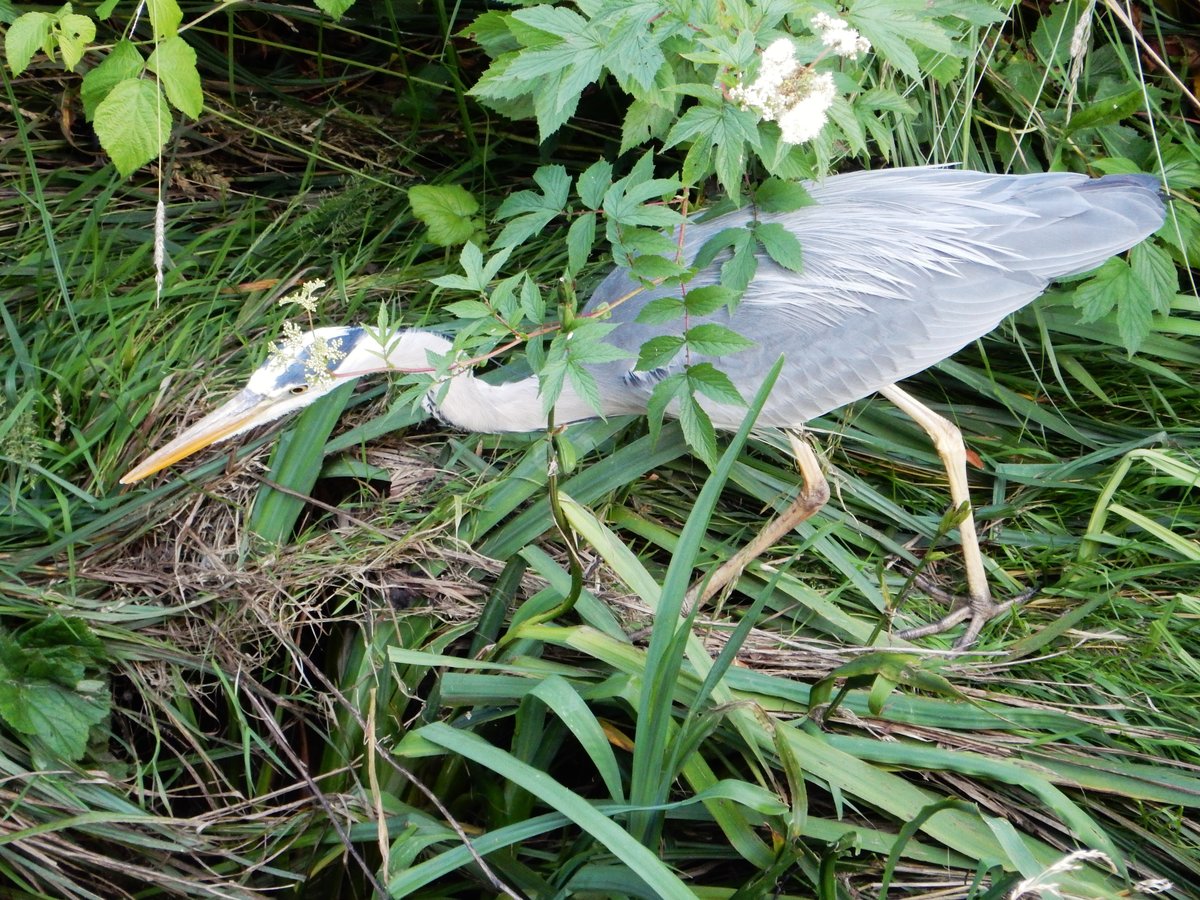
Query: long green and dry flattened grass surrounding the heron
point(329, 657)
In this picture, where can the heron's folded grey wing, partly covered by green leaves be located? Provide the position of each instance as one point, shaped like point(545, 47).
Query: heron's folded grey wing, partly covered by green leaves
point(902, 269)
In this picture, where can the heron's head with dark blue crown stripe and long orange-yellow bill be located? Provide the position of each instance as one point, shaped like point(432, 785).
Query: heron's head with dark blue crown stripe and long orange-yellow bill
point(301, 370)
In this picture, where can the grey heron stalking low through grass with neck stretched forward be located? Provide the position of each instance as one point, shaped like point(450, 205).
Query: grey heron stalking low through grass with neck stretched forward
point(901, 269)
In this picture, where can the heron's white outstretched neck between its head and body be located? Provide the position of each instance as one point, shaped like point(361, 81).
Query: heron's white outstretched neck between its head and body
point(472, 405)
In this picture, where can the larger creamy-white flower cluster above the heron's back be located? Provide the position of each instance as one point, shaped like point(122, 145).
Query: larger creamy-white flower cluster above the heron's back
point(785, 92)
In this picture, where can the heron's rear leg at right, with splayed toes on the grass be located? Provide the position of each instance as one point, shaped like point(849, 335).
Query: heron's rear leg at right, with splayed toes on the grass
point(980, 608)
